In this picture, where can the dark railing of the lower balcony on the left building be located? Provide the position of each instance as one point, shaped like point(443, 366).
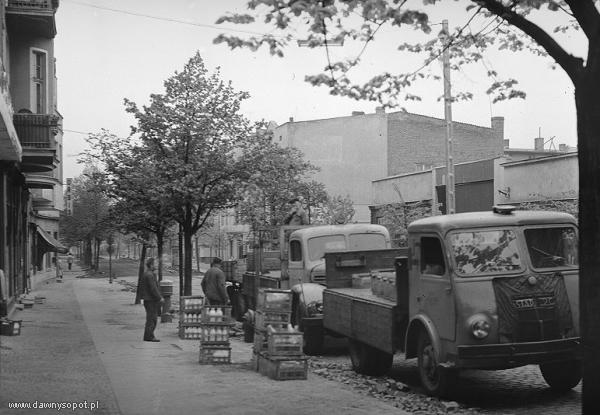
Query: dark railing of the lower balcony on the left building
point(36, 130)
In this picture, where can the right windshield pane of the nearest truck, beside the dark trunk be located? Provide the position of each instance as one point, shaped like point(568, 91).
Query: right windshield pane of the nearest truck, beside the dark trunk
point(554, 247)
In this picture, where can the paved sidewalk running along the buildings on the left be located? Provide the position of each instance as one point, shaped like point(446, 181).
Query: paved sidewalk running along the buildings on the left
point(85, 343)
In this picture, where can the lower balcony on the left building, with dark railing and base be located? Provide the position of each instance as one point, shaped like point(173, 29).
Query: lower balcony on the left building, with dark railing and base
point(36, 134)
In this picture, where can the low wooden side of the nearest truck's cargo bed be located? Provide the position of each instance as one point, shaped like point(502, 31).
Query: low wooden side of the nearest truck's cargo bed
point(358, 314)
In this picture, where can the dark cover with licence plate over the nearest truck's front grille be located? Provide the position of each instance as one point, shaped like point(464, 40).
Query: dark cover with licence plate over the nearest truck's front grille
point(532, 308)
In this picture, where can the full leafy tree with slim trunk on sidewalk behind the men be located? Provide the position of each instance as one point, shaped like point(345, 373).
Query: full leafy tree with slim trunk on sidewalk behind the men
point(196, 140)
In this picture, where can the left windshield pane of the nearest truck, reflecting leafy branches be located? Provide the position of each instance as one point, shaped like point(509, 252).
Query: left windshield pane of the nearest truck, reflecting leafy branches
point(488, 251)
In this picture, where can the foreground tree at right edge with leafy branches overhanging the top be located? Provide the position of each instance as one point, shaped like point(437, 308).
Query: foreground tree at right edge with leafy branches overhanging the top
point(506, 24)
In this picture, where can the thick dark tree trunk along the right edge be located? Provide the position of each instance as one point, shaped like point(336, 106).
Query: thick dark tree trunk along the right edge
point(587, 93)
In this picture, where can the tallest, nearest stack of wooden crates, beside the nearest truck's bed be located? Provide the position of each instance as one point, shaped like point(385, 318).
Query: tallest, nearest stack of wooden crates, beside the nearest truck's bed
point(277, 345)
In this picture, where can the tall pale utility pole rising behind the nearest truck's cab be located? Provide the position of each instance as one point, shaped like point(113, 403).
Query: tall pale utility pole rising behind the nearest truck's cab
point(450, 195)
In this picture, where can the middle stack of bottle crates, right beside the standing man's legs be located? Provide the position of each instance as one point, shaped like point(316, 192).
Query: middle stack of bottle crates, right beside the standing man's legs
point(214, 335)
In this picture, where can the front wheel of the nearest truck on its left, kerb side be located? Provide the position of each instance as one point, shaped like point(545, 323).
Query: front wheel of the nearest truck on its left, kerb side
point(435, 379)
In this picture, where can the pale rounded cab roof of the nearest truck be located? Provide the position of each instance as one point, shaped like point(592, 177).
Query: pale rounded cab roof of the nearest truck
point(446, 223)
